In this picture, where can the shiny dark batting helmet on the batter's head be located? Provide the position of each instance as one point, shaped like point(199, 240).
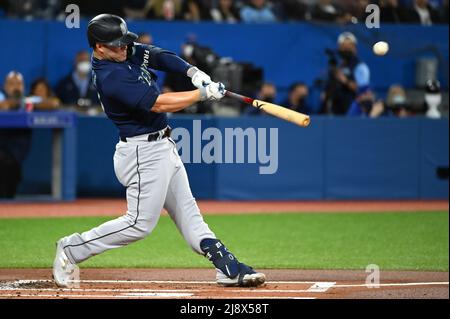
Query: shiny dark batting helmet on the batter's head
point(109, 29)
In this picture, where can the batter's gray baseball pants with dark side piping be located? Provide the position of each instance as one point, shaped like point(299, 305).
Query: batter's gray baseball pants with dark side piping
point(155, 177)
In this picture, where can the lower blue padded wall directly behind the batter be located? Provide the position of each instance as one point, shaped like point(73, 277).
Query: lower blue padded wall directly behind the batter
point(334, 158)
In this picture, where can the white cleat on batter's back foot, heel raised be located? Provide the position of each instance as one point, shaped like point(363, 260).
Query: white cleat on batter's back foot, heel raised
point(65, 273)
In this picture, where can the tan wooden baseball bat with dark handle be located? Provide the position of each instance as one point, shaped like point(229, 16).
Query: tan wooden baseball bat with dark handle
point(273, 109)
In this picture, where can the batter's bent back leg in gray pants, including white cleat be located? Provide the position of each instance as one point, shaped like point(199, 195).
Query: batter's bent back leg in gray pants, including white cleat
point(144, 169)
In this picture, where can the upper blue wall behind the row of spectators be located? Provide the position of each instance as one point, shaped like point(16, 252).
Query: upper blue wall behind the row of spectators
point(288, 52)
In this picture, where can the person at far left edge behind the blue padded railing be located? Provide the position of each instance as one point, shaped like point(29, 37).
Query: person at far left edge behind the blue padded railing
point(14, 143)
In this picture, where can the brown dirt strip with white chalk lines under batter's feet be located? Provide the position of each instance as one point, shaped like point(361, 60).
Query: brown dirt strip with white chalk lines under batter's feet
point(192, 284)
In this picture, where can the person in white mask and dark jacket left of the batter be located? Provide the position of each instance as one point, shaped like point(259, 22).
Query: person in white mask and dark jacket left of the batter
point(76, 89)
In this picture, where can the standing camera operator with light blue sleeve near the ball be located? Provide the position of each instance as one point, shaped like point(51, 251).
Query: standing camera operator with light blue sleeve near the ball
point(345, 75)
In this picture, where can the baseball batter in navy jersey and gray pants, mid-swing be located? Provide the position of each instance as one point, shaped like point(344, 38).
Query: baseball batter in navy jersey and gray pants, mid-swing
point(146, 160)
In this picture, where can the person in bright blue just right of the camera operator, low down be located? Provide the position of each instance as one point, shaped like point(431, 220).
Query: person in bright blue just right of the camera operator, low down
point(365, 104)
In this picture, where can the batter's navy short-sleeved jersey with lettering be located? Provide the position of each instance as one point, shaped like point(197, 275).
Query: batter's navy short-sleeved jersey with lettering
point(128, 90)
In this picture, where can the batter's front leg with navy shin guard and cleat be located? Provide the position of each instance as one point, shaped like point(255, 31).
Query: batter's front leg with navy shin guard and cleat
point(184, 211)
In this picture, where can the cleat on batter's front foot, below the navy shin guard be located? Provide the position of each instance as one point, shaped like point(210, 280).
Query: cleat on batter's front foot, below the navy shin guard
point(246, 278)
